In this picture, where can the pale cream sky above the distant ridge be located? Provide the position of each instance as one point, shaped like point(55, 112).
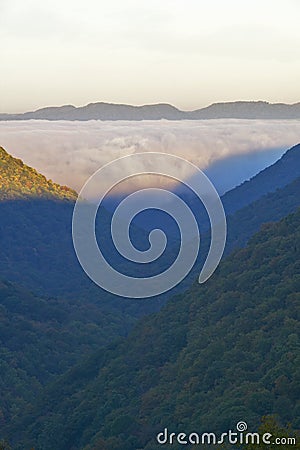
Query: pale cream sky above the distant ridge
point(189, 53)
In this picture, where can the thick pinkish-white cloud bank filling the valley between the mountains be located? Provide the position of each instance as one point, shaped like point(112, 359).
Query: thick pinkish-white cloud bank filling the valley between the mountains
point(70, 152)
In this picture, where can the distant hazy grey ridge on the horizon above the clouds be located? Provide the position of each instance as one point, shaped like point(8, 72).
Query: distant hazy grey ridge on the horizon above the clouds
point(112, 111)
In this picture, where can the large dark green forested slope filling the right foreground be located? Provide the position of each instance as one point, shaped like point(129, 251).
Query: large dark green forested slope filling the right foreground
point(220, 353)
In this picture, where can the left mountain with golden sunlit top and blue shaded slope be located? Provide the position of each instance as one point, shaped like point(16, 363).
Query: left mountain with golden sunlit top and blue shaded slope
point(36, 248)
